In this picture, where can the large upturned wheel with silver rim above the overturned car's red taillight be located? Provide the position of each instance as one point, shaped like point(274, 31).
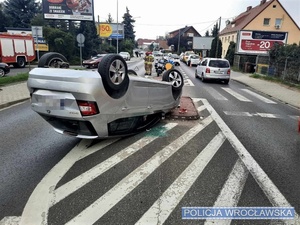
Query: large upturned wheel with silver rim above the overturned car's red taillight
point(114, 73)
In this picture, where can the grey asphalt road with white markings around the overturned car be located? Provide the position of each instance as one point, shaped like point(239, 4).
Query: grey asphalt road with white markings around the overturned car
point(243, 151)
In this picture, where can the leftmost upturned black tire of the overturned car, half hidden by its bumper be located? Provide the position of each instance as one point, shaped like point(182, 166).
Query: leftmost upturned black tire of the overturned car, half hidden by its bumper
point(52, 59)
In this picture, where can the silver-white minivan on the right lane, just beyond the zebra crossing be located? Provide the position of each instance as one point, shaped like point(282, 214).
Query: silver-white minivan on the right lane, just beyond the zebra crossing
point(213, 69)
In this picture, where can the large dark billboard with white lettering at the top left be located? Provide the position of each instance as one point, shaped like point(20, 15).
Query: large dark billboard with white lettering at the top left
point(68, 9)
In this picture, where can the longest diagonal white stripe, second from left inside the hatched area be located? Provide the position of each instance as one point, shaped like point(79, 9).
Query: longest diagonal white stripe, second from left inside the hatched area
point(102, 205)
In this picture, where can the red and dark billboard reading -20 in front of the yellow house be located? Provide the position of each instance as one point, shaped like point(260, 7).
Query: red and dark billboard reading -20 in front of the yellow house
point(259, 42)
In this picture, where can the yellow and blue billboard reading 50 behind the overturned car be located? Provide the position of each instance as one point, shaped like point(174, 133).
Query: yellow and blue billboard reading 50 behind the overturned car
point(111, 30)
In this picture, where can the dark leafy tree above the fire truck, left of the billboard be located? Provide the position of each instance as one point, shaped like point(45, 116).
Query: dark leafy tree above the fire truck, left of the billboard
point(21, 12)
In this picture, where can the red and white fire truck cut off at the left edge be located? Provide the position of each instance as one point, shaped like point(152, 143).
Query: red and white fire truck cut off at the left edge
point(16, 49)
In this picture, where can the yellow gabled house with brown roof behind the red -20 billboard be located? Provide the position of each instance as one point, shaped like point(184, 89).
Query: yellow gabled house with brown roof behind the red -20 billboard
point(269, 16)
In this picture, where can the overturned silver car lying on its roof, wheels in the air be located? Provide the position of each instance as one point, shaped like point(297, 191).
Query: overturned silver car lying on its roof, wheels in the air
point(112, 101)
